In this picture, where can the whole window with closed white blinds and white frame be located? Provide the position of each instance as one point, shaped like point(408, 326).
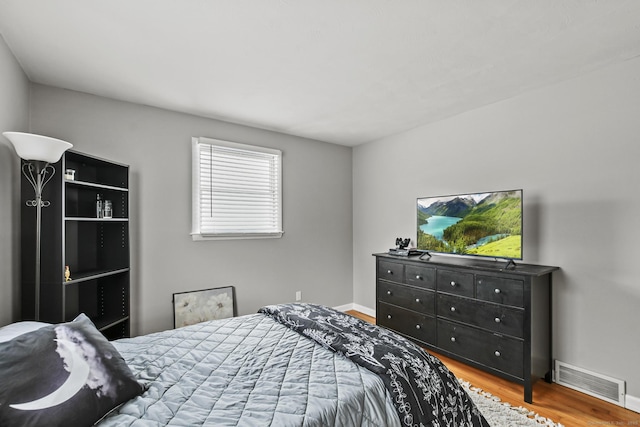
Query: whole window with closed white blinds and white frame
point(237, 190)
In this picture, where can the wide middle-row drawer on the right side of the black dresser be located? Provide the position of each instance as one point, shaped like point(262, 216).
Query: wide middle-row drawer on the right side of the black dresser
point(494, 317)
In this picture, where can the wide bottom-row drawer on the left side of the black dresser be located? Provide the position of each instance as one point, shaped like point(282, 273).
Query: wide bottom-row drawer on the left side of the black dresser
point(410, 323)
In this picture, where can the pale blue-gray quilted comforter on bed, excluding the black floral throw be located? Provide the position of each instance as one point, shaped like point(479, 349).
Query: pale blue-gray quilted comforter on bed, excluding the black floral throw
point(249, 371)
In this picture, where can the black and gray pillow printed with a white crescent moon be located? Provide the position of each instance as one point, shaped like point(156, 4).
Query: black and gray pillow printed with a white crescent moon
point(62, 375)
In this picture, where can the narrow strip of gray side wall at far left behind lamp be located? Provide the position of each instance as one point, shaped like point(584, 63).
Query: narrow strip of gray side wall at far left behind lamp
point(14, 116)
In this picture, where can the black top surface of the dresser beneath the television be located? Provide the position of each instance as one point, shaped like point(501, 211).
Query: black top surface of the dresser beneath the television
point(499, 265)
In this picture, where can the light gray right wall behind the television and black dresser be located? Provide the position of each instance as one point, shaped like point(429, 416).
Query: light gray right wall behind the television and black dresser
point(574, 149)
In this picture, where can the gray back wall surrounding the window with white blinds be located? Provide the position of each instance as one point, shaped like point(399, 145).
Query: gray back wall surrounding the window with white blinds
point(314, 256)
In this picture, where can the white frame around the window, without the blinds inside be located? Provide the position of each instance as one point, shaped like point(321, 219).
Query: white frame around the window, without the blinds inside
point(196, 233)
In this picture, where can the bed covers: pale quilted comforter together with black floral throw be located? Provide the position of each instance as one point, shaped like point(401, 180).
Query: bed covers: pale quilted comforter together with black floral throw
point(254, 371)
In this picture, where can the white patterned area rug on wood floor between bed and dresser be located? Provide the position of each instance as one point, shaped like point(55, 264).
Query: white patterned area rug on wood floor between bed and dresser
point(501, 414)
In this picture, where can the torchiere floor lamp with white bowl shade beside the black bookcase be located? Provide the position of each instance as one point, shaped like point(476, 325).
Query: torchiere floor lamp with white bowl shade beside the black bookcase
point(37, 152)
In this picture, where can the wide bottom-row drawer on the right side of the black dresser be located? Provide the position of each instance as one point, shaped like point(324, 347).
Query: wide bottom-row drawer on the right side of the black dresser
point(492, 350)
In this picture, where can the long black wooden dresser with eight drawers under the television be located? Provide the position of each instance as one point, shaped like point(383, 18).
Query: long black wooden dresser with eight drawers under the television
point(477, 311)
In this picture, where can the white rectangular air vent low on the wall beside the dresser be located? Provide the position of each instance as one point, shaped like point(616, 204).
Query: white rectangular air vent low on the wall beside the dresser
point(597, 385)
